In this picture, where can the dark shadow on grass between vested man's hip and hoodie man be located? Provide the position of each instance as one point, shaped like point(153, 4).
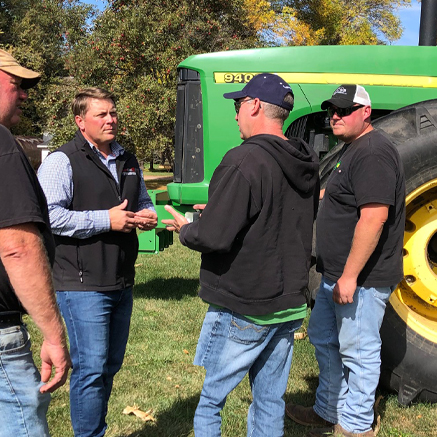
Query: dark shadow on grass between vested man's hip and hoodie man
point(167, 288)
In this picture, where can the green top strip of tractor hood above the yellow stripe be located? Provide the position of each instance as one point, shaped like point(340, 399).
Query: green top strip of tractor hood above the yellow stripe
point(417, 61)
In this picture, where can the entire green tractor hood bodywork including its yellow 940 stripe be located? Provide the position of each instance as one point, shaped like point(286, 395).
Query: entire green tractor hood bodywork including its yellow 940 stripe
point(395, 76)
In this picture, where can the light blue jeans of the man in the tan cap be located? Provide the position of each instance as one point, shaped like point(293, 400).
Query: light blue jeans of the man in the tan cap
point(22, 407)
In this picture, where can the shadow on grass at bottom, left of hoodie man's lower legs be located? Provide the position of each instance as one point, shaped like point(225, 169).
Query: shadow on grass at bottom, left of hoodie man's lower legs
point(177, 421)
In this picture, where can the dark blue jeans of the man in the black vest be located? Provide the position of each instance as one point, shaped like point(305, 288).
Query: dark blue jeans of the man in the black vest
point(98, 329)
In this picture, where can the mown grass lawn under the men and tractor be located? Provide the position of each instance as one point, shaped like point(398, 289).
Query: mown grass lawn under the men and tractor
point(158, 373)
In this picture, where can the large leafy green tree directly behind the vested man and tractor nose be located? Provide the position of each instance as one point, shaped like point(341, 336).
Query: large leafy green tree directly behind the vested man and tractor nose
point(134, 50)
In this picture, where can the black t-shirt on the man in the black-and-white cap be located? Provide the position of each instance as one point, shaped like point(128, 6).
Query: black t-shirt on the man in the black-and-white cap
point(369, 171)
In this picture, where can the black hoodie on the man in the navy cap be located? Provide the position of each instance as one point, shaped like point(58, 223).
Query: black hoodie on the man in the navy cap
point(255, 233)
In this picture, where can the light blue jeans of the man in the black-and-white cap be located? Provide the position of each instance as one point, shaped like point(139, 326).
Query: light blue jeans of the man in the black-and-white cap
point(348, 350)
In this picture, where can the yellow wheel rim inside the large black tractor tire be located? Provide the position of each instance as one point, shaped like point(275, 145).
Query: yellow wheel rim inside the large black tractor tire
point(415, 298)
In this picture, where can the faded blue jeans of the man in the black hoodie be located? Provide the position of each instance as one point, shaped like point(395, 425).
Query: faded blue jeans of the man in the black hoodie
point(229, 347)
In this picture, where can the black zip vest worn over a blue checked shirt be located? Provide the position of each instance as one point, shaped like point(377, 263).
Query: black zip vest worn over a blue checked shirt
point(103, 262)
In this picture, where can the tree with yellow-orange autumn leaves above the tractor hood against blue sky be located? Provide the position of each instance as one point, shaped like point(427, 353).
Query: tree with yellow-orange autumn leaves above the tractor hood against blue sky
point(334, 22)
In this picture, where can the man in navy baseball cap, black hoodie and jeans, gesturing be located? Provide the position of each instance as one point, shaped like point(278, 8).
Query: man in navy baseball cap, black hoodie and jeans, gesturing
point(255, 238)
